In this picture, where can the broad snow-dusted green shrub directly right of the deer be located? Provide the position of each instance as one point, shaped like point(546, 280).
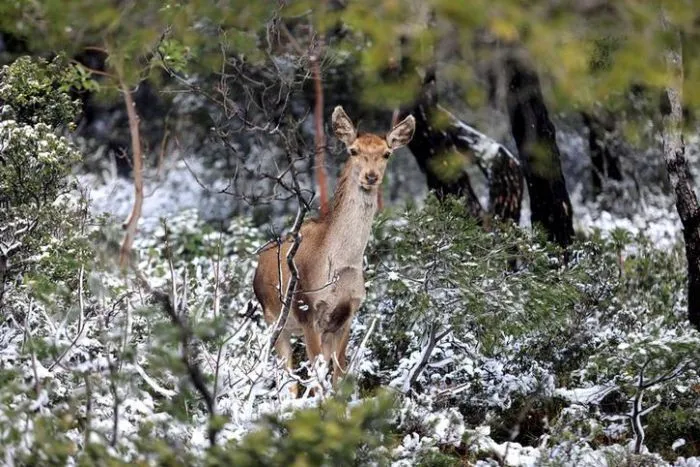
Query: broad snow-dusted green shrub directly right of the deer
point(444, 285)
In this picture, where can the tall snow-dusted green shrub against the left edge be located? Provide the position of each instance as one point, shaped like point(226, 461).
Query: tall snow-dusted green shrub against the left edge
point(35, 215)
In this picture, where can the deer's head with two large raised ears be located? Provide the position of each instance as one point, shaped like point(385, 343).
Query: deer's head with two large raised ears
point(370, 153)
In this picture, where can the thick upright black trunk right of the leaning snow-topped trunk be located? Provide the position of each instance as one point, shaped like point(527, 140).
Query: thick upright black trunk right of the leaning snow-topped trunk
point(535, 138)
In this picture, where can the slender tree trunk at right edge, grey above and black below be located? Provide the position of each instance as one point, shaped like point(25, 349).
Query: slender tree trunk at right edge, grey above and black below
point(681, 178)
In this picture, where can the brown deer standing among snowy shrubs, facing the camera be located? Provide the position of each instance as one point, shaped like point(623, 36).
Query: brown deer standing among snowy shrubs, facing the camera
point(329, 259)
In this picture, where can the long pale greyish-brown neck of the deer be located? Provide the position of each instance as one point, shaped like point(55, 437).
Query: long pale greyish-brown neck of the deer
point(350, 221)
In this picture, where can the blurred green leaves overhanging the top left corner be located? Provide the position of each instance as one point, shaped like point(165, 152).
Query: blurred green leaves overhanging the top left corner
point(137, 37)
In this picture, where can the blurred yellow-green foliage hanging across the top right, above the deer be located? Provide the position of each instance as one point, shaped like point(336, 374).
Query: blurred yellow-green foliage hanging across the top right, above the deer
point(585, 55)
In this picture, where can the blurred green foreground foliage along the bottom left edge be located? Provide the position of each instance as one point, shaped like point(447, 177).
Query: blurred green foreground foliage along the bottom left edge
point(336, 432)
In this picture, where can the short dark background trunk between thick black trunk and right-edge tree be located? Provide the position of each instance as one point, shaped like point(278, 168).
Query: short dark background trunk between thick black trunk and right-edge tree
point(605, 164)
